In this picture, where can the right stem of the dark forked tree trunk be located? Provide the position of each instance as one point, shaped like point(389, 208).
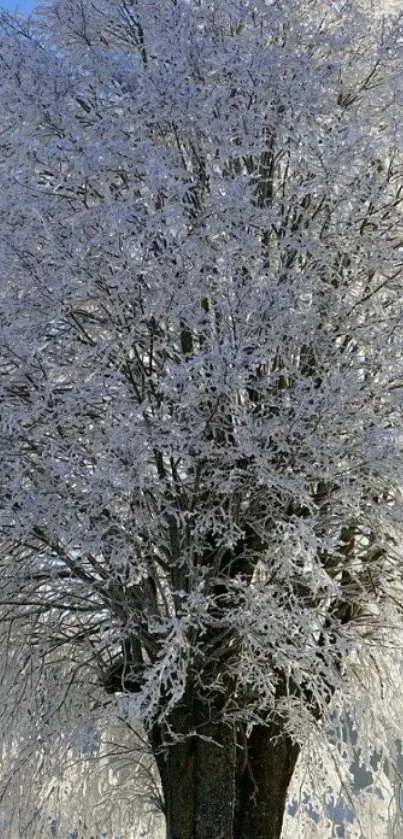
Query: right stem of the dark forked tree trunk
point(262, 782)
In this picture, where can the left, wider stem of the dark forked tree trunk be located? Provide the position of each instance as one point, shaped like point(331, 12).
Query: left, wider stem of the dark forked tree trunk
point(198, 778)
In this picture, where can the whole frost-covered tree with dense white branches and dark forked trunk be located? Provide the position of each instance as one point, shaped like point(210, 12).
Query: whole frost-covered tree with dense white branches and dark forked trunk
point(202, 358)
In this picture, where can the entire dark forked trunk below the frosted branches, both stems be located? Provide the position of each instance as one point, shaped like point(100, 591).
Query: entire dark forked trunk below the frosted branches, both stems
point(212, 790)
